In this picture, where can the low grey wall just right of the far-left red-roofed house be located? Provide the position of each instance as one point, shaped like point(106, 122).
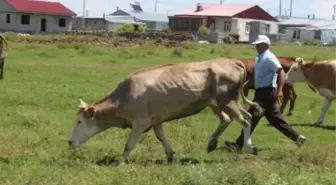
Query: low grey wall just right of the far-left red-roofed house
point(90, 24)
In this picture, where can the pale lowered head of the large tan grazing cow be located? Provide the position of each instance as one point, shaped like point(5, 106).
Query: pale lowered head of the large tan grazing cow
point(86, 124)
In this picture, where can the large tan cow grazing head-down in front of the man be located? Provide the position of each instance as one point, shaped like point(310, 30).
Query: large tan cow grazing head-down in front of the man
point(152, 96)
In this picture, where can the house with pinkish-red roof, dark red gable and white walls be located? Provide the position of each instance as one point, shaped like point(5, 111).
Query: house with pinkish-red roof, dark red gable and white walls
point(226, 19)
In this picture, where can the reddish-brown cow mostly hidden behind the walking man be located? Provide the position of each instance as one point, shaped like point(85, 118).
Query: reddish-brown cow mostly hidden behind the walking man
point(288, 90)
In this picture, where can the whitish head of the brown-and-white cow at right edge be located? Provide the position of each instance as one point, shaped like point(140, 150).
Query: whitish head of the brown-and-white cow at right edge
point(295, 73)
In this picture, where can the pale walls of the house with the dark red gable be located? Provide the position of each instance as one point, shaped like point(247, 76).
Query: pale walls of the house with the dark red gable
point(238, 26)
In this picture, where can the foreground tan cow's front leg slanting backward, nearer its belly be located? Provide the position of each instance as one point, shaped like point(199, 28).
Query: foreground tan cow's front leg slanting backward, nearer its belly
point(158, 130)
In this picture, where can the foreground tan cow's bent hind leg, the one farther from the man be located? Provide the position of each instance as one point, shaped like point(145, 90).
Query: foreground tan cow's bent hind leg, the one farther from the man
point(225, 121)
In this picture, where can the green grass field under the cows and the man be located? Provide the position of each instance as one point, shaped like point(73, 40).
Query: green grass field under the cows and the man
point(40, 95)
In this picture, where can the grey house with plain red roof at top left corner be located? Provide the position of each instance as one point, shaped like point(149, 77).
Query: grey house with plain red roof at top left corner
point(32, 16)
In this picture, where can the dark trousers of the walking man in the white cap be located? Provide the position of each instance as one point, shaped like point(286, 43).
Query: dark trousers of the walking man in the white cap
point(266, 97)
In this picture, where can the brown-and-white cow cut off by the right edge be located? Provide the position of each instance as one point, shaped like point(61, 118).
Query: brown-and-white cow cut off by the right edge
point(320, 76)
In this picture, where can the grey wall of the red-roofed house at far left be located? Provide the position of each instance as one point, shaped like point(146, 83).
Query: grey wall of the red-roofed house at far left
point(34, 26)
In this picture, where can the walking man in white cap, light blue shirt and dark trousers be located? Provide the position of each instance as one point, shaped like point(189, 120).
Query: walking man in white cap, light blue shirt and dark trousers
point(269, 80)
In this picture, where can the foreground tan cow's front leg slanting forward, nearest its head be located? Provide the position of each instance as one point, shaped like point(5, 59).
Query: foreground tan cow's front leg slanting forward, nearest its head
point(133, 138)
